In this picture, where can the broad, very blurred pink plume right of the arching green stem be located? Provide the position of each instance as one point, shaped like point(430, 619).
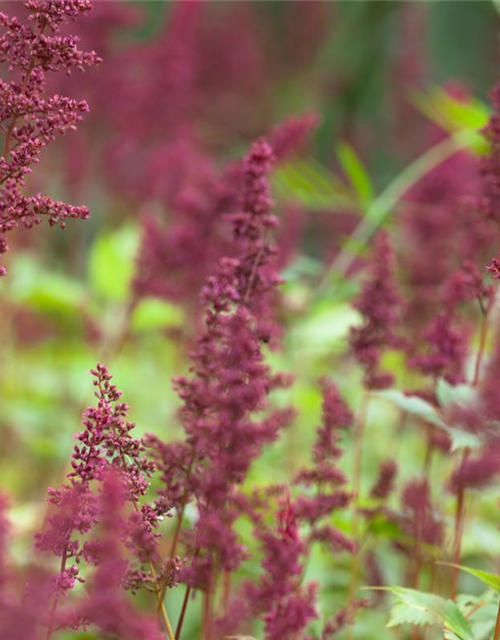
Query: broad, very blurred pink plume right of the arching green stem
point(440, 231)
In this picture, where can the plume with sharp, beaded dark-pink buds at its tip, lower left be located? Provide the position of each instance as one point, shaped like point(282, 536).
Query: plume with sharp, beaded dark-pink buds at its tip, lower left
point(104, 446)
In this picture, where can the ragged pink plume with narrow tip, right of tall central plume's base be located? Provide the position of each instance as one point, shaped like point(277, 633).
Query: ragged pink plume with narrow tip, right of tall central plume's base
point(280, 597)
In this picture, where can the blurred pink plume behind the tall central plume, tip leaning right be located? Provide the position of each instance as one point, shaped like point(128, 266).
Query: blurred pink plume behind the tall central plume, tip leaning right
point(197, 198)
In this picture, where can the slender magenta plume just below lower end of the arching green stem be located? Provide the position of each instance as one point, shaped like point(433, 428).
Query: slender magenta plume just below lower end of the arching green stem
point(380, 307)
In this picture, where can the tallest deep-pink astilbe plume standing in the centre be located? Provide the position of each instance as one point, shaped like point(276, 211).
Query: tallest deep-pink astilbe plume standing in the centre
point(229, 383)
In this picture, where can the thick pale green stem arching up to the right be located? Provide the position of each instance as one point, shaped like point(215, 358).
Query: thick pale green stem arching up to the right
point(381, 207)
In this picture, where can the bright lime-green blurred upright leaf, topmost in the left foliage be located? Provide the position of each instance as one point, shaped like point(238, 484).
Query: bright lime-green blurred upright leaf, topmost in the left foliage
point(111, 263)
